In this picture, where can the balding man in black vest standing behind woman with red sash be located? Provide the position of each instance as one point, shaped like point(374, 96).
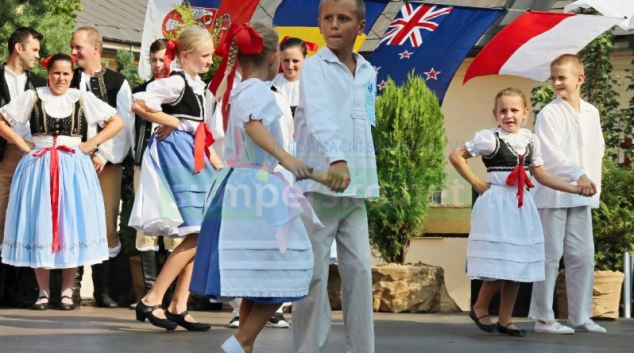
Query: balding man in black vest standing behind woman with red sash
point(112, 87)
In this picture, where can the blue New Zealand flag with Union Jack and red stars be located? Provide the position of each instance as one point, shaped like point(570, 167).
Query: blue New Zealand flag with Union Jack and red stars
point(432, 40)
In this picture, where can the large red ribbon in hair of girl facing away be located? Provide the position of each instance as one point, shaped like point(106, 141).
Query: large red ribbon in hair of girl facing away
point(249, 42)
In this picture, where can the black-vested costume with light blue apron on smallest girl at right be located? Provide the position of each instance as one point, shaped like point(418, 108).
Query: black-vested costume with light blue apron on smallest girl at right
point(506, 240)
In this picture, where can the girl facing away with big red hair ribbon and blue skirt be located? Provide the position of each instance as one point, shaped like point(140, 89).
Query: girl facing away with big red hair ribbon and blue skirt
point(252, 243)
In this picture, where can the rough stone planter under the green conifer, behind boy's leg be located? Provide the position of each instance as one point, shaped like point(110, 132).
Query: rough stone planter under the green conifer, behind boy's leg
point(402, 288)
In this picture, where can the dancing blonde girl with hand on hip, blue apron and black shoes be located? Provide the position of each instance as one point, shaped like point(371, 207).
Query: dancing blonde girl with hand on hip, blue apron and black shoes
point(176, 172)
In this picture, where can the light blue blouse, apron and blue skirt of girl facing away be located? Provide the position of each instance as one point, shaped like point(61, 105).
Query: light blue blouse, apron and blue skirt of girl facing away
point(253, 244)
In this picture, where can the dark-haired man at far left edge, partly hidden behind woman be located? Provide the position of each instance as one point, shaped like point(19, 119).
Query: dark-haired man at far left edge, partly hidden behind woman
point(15, 78)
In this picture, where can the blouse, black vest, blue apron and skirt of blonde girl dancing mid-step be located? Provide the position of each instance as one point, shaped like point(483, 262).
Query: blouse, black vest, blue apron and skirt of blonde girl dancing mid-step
point(176, 173)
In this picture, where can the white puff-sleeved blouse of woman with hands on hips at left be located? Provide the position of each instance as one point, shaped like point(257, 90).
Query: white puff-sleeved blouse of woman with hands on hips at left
point(18, 111)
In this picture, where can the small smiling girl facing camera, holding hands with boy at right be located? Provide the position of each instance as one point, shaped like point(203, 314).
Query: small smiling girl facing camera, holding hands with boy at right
point(506, 242)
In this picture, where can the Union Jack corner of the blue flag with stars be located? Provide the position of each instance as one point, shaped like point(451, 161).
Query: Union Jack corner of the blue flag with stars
point(412, 21)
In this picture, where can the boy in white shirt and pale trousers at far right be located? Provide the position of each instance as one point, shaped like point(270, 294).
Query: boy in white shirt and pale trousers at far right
point(572, 148)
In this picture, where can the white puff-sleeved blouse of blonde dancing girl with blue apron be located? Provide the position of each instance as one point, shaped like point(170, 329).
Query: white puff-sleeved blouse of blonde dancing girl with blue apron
point(167, 90)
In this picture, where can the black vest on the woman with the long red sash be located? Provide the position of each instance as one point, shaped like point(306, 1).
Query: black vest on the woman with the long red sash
point(42, 124)
